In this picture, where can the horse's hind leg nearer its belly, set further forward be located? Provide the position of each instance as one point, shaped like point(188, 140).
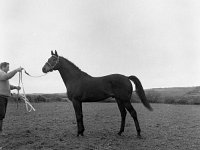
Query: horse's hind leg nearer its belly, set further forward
point(123, 115)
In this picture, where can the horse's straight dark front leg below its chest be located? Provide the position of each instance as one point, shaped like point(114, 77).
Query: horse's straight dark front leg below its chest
point(79, 116)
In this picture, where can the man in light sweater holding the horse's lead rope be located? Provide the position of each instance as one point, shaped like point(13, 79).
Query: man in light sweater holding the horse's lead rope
point(5, 88)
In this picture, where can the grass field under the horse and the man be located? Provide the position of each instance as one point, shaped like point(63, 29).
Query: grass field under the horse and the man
point(53, 127)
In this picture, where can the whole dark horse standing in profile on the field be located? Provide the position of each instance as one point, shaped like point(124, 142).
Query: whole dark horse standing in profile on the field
point(82, 87)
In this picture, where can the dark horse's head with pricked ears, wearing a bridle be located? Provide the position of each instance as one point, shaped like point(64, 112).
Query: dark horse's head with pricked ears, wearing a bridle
point(52, 63)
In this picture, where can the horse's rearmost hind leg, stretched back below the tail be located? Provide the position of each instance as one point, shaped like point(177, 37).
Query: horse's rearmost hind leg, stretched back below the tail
point(133, 113)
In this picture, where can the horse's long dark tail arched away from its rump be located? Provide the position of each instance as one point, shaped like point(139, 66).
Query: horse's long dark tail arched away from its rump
point(140, 92)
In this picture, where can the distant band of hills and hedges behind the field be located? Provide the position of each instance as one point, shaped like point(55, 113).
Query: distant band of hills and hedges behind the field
point(174, 95)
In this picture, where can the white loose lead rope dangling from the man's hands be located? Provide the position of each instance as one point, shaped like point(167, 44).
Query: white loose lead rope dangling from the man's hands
point(29, 107)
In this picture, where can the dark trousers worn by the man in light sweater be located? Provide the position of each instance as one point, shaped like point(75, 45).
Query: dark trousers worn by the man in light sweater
point(3, 106)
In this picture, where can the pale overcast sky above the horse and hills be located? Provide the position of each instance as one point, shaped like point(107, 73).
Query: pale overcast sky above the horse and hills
point(157, 40)
